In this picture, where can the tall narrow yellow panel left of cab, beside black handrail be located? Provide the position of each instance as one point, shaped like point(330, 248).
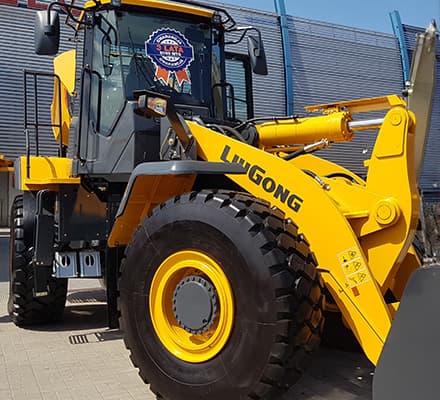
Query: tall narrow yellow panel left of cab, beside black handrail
point(65, 69)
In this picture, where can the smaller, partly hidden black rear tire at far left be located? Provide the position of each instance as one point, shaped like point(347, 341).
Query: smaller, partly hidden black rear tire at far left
point(23, 307)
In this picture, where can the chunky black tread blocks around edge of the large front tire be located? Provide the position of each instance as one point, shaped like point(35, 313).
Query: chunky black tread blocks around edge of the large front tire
point(298, 334)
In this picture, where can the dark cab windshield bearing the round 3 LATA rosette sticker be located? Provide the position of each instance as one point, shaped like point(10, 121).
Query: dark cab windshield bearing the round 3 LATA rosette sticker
point(169, 55)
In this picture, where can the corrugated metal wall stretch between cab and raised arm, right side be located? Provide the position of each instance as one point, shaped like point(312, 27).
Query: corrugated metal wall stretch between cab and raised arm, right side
point(330, 63)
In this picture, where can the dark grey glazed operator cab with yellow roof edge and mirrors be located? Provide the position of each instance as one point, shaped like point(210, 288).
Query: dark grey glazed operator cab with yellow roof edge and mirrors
point(174, 49)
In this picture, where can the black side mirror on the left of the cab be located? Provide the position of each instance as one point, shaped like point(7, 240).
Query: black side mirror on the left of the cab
point(47, 33)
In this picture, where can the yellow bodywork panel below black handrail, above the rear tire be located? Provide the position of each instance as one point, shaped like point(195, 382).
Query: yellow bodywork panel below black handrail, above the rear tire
point(45, 172)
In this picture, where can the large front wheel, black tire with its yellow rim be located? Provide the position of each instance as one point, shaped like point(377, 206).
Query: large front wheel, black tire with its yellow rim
point(276, 301)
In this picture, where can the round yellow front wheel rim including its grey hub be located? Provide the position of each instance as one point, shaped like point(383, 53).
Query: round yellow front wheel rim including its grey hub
point(191, 306)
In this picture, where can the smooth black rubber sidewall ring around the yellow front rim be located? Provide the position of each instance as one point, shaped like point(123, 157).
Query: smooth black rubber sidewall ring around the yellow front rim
point(221, 236)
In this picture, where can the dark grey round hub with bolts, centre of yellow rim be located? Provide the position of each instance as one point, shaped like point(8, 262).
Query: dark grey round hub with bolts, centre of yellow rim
point(195, 304)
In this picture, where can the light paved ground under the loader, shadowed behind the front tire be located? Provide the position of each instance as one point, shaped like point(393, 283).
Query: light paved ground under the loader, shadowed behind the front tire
point(81, 359)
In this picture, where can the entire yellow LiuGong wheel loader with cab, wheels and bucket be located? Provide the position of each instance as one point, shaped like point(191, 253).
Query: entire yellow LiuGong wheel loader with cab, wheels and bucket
point(222, 241)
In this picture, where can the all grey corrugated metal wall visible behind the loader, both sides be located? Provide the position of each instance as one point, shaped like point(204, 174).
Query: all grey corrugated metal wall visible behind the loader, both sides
point(330, 62)
